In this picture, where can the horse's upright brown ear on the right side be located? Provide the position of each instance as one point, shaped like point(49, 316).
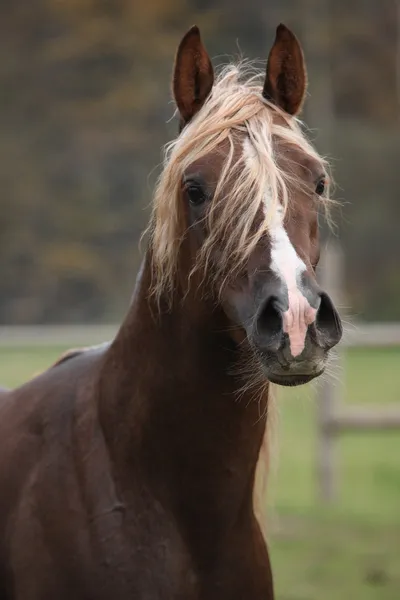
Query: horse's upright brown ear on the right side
point(286, 77)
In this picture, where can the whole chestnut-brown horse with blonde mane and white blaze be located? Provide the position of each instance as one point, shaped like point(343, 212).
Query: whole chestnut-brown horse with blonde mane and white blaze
point(129, 470)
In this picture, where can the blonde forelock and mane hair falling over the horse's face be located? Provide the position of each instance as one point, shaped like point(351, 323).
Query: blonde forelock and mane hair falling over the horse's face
point(234, 108)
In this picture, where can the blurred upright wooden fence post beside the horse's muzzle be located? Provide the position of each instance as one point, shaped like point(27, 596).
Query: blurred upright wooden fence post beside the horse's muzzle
point(328, 389)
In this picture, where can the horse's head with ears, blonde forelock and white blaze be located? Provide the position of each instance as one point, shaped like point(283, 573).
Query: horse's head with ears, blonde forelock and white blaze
point(239, 197)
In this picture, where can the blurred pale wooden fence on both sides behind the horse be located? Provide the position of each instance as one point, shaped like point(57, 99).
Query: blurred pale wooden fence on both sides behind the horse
point(333, 417)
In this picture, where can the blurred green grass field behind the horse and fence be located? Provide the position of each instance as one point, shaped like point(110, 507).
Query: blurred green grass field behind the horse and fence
point(350, 551)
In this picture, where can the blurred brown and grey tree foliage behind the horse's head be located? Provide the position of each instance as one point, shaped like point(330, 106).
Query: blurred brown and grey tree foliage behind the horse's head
point(84, 111)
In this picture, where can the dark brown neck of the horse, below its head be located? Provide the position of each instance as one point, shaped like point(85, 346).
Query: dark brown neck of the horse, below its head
point(171, 401)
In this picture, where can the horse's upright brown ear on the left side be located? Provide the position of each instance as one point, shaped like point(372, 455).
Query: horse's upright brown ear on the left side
point(193, 75)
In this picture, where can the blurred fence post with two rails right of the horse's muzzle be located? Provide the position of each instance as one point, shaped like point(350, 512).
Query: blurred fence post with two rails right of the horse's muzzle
point(333, 417)
